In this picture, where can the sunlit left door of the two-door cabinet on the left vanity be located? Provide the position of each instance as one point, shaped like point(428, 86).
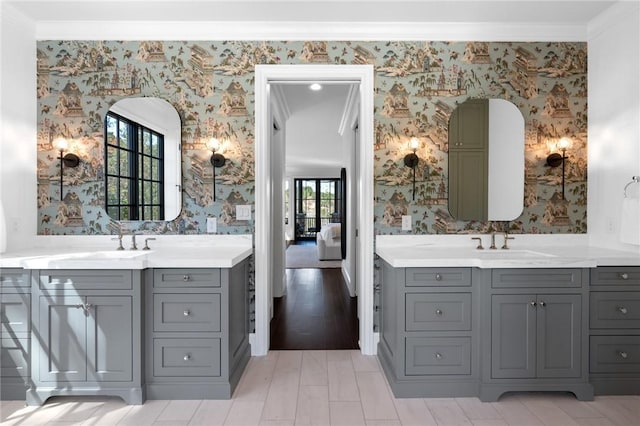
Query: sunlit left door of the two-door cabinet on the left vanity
point(61, 339)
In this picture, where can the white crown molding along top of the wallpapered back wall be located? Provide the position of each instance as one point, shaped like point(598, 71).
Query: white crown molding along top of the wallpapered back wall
point(291, 31)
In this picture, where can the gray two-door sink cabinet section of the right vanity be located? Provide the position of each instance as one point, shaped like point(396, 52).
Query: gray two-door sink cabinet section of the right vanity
point(535, 332)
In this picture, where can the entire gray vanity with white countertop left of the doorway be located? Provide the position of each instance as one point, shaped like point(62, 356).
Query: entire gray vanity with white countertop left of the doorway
point(162, 324)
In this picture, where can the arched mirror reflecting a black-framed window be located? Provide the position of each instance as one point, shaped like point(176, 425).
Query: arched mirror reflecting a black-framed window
point(143, 171)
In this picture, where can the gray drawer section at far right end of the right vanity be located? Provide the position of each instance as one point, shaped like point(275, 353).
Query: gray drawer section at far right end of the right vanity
point(614, 342)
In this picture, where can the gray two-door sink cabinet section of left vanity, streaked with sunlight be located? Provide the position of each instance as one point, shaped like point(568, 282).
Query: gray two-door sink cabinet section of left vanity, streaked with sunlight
point(87, 329)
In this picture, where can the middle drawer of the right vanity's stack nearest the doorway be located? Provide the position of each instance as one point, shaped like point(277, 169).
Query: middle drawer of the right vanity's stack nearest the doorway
point(438, 311)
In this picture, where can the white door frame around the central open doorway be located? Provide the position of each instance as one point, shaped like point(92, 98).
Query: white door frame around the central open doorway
point(264, 75)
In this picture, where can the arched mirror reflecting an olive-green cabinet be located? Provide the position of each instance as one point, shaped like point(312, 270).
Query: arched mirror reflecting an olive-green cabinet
point(486, 160)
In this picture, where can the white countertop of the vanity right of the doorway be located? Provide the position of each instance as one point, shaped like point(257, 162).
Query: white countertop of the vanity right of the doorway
point(525, 251)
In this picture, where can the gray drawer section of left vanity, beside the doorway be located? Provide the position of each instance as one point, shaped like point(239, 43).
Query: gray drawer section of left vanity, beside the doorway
point(197, 334)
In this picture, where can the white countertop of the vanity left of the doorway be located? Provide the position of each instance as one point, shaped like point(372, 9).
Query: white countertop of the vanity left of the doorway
point(215, 251)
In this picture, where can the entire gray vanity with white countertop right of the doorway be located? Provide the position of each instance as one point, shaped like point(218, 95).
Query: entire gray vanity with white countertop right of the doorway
point(457, 322)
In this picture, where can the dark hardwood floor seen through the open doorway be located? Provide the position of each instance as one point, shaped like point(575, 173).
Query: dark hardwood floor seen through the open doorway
point(316, 313)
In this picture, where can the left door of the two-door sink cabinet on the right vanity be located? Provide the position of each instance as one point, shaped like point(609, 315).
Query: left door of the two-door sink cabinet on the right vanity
point(513, 336)
